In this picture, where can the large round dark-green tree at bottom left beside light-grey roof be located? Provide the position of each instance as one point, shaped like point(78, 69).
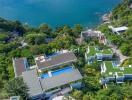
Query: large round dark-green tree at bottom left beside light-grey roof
point(17, 87)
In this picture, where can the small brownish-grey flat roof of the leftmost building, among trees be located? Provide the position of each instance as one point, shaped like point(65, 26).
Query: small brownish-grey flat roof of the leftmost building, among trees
point(19, 65)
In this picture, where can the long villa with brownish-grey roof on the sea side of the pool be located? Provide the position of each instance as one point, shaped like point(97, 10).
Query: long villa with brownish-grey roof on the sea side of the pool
point(54, 60)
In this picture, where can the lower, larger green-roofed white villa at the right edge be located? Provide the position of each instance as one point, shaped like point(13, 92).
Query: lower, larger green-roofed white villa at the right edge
point(113, 73)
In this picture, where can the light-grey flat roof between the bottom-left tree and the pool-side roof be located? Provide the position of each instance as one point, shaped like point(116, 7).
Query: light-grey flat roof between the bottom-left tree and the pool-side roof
point(31, 79)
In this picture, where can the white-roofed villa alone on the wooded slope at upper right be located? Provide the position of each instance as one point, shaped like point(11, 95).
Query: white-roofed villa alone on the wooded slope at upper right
point(118, 30)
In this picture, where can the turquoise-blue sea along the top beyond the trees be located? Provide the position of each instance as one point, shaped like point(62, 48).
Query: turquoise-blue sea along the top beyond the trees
point(56, 12)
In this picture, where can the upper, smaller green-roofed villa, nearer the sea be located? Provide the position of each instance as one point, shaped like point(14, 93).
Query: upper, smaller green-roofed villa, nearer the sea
point(94, 53)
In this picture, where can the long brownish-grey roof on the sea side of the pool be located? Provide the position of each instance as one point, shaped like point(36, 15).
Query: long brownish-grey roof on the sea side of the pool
point(56, 60)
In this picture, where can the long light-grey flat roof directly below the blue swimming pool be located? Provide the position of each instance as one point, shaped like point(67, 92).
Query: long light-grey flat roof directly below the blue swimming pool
point(62, 79)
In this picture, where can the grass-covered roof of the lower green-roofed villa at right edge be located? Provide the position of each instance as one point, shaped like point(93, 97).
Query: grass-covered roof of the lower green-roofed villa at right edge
point(112, 70)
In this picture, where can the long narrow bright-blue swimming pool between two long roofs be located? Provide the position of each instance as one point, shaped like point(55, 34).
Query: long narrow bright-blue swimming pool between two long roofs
point(58, 72)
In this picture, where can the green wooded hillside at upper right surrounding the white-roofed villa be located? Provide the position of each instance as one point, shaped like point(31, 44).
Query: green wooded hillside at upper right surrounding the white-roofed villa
point(121, 16)
